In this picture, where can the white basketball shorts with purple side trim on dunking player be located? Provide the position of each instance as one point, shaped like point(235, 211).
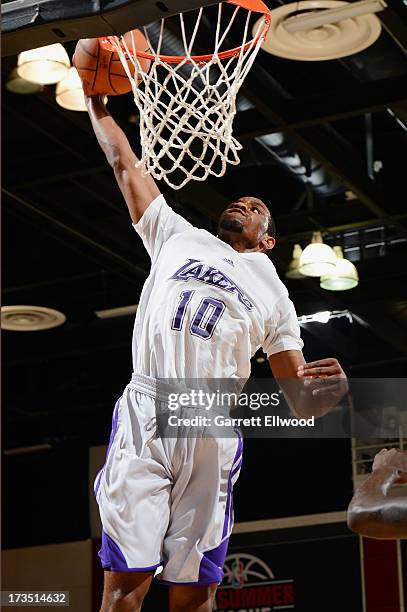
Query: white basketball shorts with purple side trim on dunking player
point(165, 501)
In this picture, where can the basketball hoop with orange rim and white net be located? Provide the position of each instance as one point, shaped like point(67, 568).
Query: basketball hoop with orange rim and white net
point(188, 101)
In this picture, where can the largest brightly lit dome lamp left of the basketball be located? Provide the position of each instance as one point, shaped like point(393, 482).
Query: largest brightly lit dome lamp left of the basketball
point(44, 65)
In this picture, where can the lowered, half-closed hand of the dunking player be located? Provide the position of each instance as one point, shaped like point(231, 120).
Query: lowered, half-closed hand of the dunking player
point(324, 377)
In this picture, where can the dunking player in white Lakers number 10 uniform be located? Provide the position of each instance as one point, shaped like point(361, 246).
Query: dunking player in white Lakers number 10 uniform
point(207, 306)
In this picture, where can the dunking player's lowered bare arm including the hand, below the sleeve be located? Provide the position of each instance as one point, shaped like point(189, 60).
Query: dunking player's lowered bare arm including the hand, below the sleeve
point(311, 389)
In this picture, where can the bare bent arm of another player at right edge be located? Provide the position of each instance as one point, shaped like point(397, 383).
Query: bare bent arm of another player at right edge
point(372, 512)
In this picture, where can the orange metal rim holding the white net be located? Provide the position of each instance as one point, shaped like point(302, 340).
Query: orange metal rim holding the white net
point(256, 6)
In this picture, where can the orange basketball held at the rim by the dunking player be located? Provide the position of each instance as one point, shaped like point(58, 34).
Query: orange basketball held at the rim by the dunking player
point(102, 70)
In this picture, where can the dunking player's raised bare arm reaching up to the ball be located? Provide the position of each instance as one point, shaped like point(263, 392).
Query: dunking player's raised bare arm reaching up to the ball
point(138, 190)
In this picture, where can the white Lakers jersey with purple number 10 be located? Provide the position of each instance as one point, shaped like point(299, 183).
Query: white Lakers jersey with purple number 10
point(206, 309)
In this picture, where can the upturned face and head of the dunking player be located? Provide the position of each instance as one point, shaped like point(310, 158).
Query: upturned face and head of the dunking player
point(247, 218)
